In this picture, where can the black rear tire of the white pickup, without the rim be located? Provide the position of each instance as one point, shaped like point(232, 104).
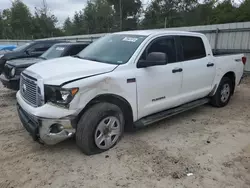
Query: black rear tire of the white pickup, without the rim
point(217, 98)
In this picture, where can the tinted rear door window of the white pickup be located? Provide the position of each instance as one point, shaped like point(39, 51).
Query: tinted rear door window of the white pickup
point(192, 47)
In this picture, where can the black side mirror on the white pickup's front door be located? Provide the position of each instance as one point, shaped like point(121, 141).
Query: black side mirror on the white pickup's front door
point(153, 59)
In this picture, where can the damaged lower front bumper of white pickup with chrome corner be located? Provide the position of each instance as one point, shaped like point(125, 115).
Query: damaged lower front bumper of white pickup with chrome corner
point(41, 128)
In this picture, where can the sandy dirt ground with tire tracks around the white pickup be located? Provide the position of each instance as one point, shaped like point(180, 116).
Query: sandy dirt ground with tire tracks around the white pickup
point(211, 143)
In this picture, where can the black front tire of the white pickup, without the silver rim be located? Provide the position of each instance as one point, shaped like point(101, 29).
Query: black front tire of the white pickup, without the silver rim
point(87, 125)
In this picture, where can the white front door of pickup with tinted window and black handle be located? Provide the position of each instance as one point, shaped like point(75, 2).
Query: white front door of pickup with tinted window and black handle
point(159, 87)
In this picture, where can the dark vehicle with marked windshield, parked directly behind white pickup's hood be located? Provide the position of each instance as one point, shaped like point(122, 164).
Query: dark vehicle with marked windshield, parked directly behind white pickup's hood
point(13, 68)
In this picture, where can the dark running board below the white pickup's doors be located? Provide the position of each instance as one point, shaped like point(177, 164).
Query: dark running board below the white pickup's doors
point(167, 113)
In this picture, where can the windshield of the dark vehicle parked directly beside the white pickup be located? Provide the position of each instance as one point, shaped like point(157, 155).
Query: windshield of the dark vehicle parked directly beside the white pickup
point(54, 52)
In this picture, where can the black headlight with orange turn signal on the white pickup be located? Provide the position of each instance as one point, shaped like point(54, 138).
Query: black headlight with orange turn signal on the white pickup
point(58, 95)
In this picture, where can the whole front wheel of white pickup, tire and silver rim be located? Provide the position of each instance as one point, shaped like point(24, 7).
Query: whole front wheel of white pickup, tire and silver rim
point(100, 128)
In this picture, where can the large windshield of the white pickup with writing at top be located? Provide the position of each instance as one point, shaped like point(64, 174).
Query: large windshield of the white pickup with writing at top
point(113, 49)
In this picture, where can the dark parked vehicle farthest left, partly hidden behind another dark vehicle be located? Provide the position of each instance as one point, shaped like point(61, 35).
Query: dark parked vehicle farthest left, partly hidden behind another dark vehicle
point(28, 50)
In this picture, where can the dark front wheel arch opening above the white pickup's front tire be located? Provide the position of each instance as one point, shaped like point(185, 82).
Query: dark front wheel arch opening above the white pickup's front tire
point(117, 100)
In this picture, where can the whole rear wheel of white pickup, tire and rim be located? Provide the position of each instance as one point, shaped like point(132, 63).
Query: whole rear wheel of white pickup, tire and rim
point(223, 93)
